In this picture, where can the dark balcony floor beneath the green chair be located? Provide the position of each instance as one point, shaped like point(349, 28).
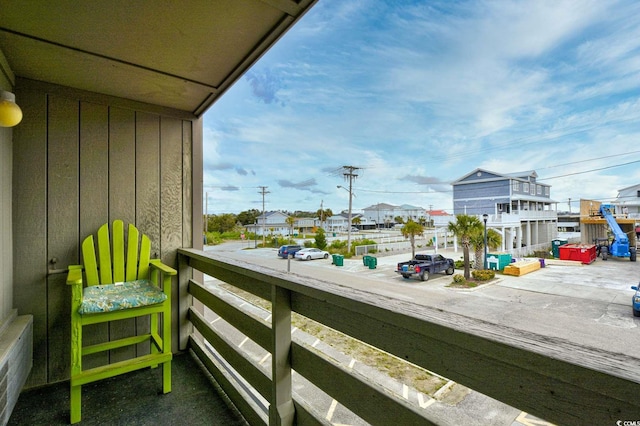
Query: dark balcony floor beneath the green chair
point(133, 399)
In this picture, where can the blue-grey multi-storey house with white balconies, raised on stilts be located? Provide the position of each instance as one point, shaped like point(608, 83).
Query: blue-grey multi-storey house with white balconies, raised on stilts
point(518, 206)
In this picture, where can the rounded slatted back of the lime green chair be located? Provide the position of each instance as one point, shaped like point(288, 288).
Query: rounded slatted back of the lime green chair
point(112, 266)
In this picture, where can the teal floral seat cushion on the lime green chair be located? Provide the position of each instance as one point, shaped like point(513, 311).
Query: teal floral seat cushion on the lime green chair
point(114, 297)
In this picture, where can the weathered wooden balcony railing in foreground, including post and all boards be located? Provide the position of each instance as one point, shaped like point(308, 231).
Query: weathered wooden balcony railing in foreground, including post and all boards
point(550, 378)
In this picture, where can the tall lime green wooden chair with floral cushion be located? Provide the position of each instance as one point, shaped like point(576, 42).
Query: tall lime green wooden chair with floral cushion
point(119, 287)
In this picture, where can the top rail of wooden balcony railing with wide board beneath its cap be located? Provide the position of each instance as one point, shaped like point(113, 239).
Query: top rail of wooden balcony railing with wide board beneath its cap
point(551, 378)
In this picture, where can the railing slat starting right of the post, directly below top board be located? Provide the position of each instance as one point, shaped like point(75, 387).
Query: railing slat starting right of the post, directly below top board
point(363, 397)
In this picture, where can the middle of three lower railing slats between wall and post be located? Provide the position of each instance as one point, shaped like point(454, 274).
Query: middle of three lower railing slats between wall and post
point(250, 371)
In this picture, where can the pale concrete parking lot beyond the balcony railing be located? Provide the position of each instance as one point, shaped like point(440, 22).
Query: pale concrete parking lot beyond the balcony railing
point(585, 304)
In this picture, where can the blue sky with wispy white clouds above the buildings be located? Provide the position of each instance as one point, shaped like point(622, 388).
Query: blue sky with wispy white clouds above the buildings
point(419, 93)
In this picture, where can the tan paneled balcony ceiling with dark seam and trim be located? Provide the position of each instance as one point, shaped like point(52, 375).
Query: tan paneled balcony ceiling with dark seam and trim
point(181, 55)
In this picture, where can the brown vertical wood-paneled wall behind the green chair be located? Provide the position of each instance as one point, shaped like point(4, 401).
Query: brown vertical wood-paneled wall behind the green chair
point(81, 160)
